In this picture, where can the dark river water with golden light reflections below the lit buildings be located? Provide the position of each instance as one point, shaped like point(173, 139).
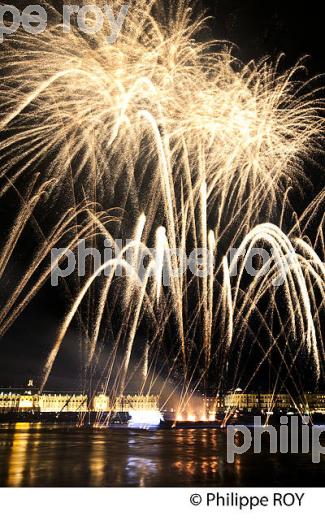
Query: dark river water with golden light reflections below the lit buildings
point(45, 455)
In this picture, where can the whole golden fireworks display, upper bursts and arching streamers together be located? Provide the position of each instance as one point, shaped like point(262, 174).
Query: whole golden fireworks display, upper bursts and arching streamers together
point(198, 151)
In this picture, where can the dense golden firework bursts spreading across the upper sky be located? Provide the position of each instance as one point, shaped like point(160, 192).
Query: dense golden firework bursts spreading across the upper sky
point(250, 121)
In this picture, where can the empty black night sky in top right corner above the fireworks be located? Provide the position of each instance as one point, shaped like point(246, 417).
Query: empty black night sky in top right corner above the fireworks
point(272, 27)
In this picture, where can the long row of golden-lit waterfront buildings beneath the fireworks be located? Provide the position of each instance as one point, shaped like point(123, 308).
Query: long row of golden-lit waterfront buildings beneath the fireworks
point(29, 401)
